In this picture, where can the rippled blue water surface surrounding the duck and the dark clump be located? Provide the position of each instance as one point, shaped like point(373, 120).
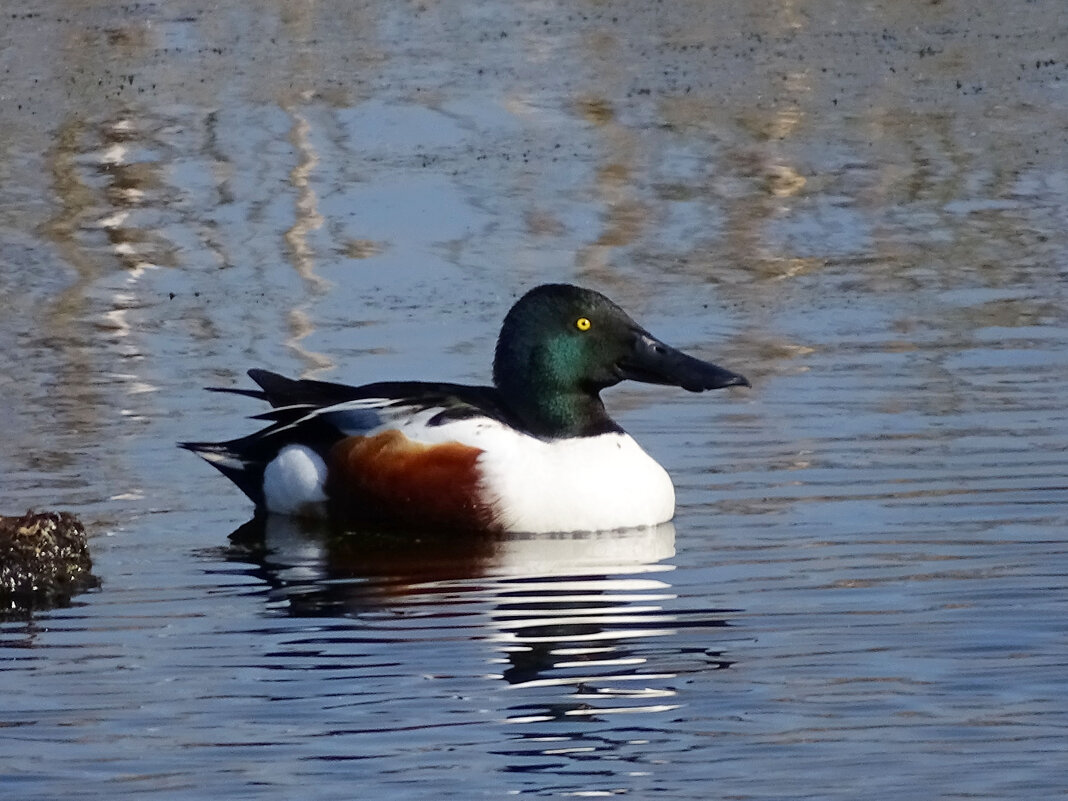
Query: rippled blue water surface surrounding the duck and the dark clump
point(862, 208)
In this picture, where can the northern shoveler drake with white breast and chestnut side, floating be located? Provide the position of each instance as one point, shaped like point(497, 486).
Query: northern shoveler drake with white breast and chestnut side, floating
point(537, 452)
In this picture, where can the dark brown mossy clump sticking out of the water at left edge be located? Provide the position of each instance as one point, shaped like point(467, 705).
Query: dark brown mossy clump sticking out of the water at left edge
point(44, 561)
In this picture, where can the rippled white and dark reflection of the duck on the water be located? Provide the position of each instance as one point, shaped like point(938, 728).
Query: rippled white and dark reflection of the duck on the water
point(587, 624)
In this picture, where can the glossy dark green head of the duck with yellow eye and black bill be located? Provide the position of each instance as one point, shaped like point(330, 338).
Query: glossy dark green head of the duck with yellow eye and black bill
point(561, 345)
